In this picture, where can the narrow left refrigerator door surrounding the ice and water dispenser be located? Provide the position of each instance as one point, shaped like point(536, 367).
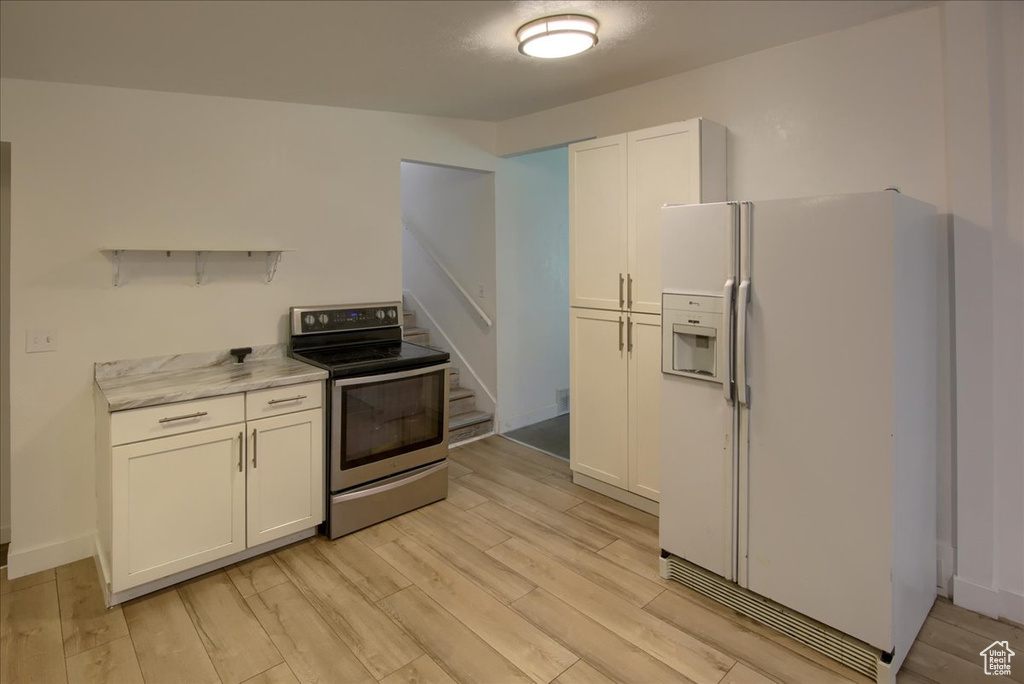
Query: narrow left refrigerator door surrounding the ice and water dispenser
point(699, 475)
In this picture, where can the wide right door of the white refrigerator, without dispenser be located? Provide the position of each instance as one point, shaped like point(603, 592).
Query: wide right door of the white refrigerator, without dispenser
point(820, 367)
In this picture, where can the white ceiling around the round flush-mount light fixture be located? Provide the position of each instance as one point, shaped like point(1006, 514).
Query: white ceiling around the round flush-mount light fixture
point(444, 59)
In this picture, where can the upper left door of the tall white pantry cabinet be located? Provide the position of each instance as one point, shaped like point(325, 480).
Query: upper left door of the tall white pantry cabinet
point(598, 223)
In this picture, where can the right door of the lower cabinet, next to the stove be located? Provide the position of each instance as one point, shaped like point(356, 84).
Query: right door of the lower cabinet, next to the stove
point(286, 476)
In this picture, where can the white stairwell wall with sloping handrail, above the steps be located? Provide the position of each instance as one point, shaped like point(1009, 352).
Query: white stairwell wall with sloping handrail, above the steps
point(452, 211)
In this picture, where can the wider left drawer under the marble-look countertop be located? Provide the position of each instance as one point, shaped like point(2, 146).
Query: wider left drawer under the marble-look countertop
point(168, 419)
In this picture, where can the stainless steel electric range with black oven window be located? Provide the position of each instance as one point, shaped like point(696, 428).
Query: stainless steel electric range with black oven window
point(388, 406)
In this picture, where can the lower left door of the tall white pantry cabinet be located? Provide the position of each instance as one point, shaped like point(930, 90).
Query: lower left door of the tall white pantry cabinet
point(599, 387)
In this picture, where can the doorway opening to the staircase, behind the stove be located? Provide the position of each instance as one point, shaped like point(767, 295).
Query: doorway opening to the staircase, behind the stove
point(449, 284)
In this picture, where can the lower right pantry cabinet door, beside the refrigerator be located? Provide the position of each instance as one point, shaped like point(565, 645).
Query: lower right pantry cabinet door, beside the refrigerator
point(645, 336)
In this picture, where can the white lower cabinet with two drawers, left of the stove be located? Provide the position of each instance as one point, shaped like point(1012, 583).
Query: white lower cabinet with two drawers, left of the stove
point(170, 504)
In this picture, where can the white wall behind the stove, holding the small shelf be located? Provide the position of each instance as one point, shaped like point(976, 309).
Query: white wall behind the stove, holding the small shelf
point(104, 167)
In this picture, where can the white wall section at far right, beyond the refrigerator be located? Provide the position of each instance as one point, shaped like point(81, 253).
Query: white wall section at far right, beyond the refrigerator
point(986, 105)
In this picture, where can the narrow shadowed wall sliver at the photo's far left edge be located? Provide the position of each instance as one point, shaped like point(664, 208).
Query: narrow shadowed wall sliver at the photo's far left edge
point(5, 343)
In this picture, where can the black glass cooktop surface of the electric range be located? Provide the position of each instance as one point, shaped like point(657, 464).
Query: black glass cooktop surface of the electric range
point(358, 360)
